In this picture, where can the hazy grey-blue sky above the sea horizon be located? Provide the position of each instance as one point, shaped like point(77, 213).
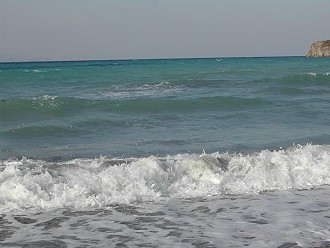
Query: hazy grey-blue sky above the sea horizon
point(34, 30)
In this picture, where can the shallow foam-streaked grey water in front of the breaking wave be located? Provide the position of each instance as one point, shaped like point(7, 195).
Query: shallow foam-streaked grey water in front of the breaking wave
point(289, 218)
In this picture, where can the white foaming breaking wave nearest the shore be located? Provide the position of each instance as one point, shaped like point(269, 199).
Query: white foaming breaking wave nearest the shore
point(79, 183)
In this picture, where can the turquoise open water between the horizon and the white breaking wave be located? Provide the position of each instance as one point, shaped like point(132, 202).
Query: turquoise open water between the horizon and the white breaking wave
point(138, 108)
